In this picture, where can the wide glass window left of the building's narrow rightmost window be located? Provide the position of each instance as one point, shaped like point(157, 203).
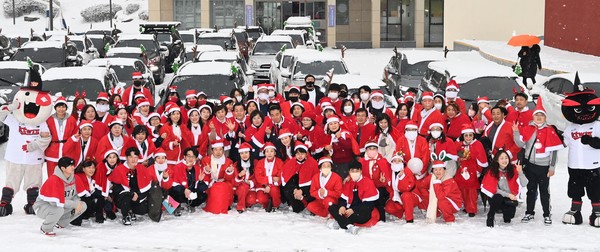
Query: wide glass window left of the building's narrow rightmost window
point(397, 20)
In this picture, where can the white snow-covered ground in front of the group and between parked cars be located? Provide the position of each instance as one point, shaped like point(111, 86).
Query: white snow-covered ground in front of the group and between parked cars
point(261, 231)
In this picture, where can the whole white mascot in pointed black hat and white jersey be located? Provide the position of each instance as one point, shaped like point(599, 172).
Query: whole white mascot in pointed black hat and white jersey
point(29, 136)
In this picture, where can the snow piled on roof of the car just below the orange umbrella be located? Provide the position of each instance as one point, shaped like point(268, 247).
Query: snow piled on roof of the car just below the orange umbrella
point(466, 66)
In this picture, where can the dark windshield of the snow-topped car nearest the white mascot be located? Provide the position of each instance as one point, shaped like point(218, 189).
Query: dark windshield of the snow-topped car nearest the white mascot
point(68, 87)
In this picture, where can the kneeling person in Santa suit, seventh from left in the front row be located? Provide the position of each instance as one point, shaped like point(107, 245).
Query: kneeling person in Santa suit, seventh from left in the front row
point(244, 183)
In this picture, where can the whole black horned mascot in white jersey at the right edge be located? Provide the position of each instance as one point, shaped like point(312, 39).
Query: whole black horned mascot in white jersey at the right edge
point(582, 135)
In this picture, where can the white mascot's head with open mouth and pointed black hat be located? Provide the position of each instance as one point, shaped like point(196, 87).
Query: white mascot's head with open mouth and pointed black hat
point(34, 104)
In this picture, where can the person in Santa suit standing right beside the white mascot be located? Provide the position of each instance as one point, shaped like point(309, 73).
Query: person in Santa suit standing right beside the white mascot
point(61, 127)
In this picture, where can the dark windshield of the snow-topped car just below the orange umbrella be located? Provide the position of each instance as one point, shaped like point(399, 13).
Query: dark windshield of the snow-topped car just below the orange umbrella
point(495, 88)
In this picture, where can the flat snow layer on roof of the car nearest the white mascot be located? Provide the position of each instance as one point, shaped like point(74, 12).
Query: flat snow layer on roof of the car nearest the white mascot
point(83, 72)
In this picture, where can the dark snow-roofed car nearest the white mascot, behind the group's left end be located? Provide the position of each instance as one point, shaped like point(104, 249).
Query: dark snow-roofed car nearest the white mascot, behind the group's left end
point(71, 80)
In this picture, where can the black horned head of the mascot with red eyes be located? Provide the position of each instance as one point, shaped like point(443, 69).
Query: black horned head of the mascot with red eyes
point(581, 106)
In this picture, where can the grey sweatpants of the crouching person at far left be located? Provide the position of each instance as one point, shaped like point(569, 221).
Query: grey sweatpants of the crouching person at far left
point(53, 215)
